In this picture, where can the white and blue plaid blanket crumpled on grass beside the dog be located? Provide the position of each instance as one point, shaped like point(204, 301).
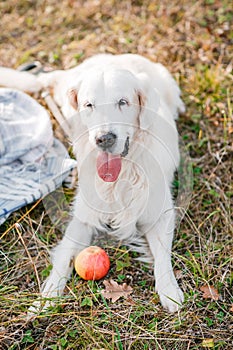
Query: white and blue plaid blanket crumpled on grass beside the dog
point(32, 162)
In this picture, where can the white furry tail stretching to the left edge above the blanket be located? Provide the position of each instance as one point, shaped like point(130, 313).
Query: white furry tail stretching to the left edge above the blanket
point(19, 80)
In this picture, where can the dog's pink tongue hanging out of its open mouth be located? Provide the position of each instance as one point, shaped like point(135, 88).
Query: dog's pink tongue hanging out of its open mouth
point(108, 166)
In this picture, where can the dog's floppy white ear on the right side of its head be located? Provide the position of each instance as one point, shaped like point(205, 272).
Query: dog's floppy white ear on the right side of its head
point(148, 101)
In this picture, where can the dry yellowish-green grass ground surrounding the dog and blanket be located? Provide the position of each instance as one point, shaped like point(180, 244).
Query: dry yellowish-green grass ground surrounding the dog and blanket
point(194, 40)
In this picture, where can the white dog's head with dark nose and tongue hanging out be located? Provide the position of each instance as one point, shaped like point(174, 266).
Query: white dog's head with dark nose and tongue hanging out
point(113, 106)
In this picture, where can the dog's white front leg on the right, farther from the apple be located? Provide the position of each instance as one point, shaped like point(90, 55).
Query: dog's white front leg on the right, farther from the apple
point(160, 237)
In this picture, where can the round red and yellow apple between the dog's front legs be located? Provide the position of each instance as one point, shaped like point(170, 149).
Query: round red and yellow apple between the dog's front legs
point(92, 263)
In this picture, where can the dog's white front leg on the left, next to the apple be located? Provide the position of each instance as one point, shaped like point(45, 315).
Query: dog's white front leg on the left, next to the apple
point(77, 237)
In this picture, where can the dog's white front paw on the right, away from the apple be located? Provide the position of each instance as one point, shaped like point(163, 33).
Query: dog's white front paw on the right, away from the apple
point(172, 298)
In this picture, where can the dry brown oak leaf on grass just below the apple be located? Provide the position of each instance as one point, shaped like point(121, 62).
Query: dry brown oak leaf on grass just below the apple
point(115, 291)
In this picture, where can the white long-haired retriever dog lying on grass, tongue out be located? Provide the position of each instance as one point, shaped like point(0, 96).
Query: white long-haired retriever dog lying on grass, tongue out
point(121, 111)
